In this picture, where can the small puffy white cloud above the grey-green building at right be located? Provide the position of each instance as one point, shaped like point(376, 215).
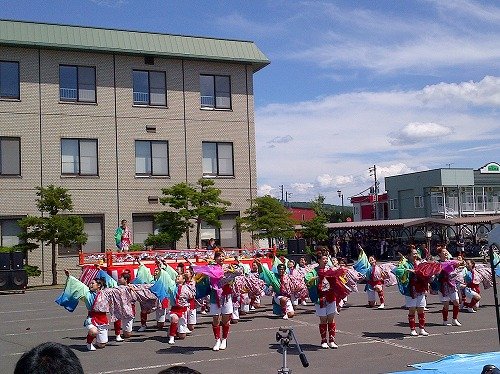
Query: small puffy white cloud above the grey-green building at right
point(419, 132)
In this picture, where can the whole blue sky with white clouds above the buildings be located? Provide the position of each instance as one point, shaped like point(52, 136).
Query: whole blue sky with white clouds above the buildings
point(403, 85)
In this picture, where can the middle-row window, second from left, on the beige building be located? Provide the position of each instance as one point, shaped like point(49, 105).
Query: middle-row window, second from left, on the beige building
point(79, 157)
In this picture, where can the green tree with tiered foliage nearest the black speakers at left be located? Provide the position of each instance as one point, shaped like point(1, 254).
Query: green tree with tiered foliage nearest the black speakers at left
point(55, 228)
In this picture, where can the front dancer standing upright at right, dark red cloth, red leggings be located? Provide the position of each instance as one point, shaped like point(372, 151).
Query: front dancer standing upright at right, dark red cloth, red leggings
point(413, 281)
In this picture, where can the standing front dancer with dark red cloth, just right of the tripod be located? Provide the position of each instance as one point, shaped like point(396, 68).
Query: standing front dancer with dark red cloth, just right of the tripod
point(325, 288)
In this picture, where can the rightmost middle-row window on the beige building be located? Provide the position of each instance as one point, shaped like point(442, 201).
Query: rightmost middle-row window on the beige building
point(218, 159)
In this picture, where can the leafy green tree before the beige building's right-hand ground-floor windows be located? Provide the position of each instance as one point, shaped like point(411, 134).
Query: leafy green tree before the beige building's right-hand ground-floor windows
point(195, 204)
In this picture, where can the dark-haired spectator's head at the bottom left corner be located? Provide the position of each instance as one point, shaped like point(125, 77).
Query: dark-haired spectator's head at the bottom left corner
point(49, 358)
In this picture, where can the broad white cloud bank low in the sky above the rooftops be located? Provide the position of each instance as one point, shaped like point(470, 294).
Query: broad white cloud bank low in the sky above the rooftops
point(351, 132)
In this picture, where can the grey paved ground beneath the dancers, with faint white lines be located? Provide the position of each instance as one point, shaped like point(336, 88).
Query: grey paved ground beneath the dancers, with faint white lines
point(371, 341)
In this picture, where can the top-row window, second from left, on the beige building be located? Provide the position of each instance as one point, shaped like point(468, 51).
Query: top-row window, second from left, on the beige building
point(77, 83)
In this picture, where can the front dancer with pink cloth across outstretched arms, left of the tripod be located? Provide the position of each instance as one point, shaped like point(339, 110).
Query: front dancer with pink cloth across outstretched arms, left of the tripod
point(221, 303)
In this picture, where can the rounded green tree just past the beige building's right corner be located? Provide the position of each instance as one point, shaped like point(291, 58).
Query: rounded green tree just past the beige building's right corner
point(267, 218)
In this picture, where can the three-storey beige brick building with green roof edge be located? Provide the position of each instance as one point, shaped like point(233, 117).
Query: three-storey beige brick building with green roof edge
point(114, 116)
